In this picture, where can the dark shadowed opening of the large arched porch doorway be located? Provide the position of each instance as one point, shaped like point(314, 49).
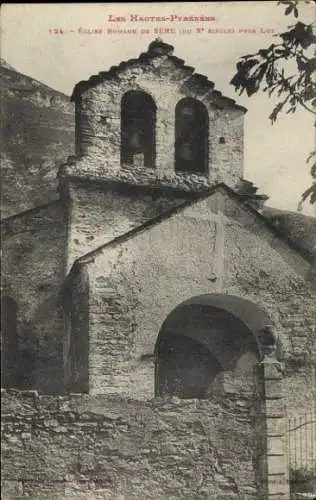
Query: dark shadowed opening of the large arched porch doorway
point(199, 341)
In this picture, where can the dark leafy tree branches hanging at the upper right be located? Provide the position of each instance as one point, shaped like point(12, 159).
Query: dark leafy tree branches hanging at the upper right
point(285, 69)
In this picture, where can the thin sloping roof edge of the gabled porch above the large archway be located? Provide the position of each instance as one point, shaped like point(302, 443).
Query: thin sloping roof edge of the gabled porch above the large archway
point(307, 255)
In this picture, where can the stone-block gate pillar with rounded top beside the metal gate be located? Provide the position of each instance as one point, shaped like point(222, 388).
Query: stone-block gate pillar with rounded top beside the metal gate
point(273, 460)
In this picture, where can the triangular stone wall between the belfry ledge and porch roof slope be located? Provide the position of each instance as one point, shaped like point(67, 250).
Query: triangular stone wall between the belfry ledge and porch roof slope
point(101, 212)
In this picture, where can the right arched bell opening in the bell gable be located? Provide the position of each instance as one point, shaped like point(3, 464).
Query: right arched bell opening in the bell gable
point(191, 133)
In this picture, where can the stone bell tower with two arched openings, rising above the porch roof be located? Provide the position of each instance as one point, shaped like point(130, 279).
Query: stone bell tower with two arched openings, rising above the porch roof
point(150, 134)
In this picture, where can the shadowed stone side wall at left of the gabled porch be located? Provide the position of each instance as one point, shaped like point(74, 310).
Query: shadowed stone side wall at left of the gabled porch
point(34, 282)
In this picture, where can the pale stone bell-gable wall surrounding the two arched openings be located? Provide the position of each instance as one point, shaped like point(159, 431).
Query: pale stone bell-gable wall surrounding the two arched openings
point(167, 81)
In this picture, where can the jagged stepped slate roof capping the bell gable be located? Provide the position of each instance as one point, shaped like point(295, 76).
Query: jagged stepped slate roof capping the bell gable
point(158, 49)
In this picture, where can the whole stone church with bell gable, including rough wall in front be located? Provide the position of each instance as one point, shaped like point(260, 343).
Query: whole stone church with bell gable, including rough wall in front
point(153, 314)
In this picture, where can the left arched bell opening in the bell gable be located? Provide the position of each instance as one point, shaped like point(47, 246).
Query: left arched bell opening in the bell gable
point(138, 124)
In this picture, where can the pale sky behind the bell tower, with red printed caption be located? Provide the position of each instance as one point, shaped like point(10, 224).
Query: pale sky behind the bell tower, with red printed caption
point(275, 155)
